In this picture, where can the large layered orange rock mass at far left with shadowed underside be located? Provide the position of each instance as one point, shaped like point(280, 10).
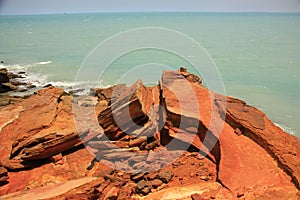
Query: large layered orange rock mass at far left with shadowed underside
point(39, 127)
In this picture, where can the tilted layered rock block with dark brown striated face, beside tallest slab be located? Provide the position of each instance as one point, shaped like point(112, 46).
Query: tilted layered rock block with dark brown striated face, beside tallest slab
point(132, 113)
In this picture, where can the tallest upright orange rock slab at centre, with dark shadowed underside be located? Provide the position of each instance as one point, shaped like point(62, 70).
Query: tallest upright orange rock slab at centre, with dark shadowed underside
point(189, 111)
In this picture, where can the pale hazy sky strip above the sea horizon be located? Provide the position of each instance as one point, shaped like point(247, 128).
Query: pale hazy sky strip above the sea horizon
point(74, 6)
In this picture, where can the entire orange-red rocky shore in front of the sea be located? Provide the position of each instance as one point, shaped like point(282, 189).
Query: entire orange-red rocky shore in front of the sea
point(175, 140)
